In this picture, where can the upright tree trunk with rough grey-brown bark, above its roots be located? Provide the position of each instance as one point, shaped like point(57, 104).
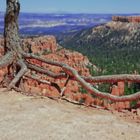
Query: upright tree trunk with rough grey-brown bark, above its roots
point(11, 35)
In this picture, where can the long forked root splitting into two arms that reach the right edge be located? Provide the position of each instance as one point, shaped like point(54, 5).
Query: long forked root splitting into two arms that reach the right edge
point(74, 74)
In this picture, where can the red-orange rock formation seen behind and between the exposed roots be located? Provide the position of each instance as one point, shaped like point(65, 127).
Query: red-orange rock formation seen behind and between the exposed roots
point(48, 48)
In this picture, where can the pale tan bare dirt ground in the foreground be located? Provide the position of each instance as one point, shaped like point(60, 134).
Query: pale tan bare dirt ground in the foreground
point(30, 118)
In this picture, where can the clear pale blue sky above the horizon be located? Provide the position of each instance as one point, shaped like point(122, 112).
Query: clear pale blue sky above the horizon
point(78, 6)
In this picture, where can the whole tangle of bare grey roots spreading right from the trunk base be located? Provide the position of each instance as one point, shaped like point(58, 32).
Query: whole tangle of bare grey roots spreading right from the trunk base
point(73, 74)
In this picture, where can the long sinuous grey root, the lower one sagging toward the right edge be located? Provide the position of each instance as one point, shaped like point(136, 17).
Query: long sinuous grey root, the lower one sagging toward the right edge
point(73, 73)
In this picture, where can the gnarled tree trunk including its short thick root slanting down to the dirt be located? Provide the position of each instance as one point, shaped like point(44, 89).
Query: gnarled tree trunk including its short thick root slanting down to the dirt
point(12, 45)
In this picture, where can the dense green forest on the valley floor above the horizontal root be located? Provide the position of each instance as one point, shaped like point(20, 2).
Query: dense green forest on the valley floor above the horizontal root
point(112, 60)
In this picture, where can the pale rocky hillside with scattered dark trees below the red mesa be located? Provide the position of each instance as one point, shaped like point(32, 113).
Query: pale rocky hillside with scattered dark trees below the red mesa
point(107, 36)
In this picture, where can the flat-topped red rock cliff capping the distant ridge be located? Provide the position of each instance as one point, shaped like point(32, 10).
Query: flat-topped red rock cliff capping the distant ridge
point(134, 19)
